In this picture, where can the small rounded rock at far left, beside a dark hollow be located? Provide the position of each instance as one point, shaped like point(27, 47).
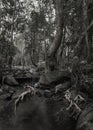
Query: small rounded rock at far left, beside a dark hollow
point(10, 80)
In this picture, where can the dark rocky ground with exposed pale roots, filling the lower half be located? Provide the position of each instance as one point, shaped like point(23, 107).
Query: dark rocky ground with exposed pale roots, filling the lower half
point(29, 101)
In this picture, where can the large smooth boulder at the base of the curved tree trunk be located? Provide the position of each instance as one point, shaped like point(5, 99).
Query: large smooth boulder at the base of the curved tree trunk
point(54, 77)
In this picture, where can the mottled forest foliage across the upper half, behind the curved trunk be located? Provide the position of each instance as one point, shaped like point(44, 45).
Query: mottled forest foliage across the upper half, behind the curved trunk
point(37, 22)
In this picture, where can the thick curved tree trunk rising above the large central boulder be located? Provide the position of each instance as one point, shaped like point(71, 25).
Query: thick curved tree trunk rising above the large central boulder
point(59, 32)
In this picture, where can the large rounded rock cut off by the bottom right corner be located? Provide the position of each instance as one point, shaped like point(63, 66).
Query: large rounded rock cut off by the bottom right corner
point(85, 121)
